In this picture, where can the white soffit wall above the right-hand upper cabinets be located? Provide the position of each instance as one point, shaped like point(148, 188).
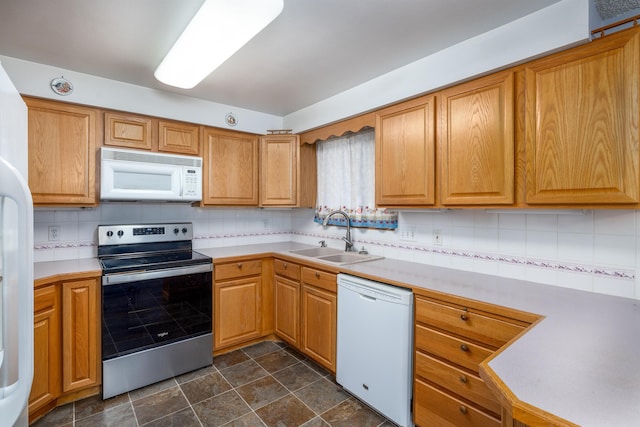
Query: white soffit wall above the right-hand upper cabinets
point(557, 26)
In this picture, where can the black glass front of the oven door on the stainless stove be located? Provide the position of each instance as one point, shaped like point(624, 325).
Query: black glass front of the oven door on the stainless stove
point(150, 313)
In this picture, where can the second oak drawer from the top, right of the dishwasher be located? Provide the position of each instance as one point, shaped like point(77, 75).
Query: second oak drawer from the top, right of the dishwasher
point(458, 351)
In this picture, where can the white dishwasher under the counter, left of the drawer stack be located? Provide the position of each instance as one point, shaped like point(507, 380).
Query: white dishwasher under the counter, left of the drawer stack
point(375, 341)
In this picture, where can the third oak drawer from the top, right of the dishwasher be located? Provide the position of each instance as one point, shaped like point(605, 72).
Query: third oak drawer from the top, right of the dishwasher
point(458, 381)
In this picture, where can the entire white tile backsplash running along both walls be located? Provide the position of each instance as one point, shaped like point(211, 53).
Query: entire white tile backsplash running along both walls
point(592, 250)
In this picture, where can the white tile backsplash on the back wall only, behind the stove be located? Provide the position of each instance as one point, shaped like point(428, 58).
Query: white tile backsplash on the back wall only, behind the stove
point(213, 227)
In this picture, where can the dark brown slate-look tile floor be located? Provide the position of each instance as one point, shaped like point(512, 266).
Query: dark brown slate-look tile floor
point(266, 384)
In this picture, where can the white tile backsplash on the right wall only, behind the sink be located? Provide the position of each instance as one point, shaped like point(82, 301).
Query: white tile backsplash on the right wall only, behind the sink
point(597, 251)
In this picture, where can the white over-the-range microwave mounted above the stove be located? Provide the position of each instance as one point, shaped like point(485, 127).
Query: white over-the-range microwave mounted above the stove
point(143, 176)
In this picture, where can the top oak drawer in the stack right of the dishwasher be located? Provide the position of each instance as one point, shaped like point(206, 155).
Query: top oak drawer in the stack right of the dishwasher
point(468, 323)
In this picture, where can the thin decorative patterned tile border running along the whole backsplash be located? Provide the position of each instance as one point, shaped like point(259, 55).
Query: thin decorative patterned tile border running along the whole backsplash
point(609, 272)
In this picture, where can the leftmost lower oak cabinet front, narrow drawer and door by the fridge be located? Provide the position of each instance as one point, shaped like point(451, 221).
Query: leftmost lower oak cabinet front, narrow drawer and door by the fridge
point(46, 348)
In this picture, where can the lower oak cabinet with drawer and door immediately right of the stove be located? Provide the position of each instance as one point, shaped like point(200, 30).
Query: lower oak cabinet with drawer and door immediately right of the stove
point(237, 303)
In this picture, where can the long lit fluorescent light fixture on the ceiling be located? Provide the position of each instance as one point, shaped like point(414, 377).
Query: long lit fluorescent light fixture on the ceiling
point(216, 32)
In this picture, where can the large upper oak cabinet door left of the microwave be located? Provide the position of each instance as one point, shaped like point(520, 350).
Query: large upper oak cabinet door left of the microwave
point(62, 153)
